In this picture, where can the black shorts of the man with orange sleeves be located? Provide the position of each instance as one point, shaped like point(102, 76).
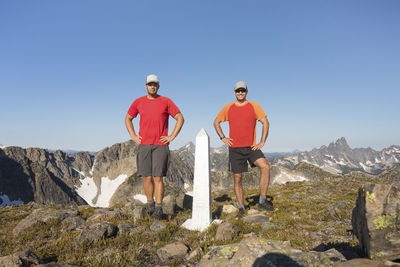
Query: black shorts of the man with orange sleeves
point(239, 156)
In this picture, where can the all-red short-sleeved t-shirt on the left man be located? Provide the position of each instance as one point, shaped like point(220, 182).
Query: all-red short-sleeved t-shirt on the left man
point(153, 118)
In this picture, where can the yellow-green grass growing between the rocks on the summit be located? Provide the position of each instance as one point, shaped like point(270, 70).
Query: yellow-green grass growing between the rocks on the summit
point(308, 214)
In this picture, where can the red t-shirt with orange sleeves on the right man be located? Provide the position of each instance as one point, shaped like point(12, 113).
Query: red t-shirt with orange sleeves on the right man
point(242, 122)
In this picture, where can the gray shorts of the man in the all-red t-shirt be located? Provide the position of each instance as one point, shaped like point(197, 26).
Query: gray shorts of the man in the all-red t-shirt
point(152, 160)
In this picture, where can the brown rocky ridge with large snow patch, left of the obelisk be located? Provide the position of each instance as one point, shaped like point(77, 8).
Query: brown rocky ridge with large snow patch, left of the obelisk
point(50, 178)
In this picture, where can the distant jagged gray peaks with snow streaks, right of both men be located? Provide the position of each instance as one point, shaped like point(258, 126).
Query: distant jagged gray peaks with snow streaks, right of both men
point(339, 158)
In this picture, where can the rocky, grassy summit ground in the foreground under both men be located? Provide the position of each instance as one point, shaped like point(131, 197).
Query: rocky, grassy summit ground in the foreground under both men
point(330, 221)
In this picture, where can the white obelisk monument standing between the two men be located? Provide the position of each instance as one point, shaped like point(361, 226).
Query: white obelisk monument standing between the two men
point(201, 210)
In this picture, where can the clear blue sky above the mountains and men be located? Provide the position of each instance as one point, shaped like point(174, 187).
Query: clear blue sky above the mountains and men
point(69, 70)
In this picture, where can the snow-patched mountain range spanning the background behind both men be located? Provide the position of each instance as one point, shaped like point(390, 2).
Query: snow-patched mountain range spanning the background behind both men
point(108, 177)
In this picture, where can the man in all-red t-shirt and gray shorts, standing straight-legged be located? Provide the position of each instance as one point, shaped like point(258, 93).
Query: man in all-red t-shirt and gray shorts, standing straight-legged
point(153, 140)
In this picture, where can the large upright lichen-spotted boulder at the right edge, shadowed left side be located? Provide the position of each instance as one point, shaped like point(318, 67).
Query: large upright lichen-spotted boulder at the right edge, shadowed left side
point(376, 220)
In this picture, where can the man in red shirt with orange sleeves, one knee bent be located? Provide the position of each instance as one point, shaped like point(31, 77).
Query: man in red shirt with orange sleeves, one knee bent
point(243, 116)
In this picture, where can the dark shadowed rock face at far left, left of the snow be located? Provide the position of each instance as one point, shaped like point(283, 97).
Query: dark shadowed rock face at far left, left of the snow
point(34, 174)
